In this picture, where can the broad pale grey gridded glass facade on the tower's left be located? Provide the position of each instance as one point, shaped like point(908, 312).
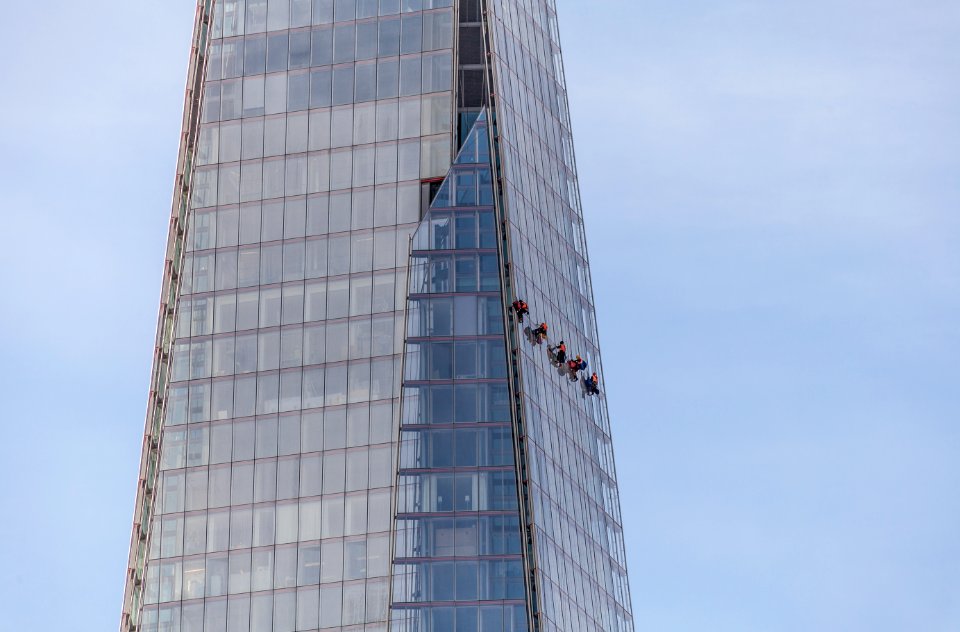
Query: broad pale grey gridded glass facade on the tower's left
point(320, 120)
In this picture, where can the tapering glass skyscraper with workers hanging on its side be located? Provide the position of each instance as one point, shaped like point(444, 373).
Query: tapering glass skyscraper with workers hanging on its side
point(348, 428)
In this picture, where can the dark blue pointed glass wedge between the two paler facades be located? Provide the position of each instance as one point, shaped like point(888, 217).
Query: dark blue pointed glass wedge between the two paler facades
point(458, 562)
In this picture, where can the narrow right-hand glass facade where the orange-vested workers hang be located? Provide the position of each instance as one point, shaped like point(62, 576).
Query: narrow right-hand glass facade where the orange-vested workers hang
point(578, 534)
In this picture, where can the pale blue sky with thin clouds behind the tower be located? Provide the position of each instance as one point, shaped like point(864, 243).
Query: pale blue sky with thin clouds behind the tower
point(772, 191)
